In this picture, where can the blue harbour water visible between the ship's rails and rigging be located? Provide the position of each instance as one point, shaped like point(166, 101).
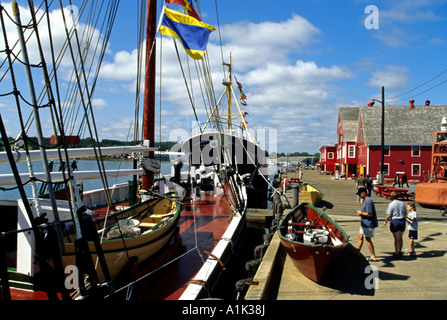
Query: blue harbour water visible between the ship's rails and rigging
point(83, 165)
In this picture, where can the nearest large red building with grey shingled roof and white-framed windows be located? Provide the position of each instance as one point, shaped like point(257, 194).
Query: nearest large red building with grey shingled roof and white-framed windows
point(408, 140)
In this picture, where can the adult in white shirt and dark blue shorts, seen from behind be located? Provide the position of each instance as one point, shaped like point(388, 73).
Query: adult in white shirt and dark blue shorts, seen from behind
point(396, 212)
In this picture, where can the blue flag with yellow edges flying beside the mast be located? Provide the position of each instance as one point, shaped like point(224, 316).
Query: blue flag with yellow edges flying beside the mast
point(193, 34)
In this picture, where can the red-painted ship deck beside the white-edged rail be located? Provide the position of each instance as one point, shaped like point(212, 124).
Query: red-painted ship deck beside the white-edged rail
point(202, 224)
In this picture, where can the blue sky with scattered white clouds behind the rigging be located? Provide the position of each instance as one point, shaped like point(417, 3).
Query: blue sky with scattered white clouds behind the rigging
point(299, 62)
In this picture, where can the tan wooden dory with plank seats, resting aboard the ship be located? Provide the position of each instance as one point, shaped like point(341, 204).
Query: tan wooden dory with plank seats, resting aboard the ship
point(155, 220)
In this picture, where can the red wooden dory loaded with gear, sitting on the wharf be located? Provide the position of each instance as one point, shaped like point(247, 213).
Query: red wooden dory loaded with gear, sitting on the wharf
point(311, 239)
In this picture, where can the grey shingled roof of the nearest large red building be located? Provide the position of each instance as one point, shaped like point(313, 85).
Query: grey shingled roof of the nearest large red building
point(403, 125)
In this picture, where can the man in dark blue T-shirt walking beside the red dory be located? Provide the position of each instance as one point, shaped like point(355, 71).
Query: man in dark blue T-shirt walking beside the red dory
point(368, 222)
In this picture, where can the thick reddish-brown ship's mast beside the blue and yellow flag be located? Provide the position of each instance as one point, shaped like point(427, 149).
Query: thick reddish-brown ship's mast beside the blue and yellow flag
point(149, 90)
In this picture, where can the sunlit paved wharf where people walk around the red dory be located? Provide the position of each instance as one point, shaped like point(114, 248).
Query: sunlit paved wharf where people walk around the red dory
point(420, 277)
